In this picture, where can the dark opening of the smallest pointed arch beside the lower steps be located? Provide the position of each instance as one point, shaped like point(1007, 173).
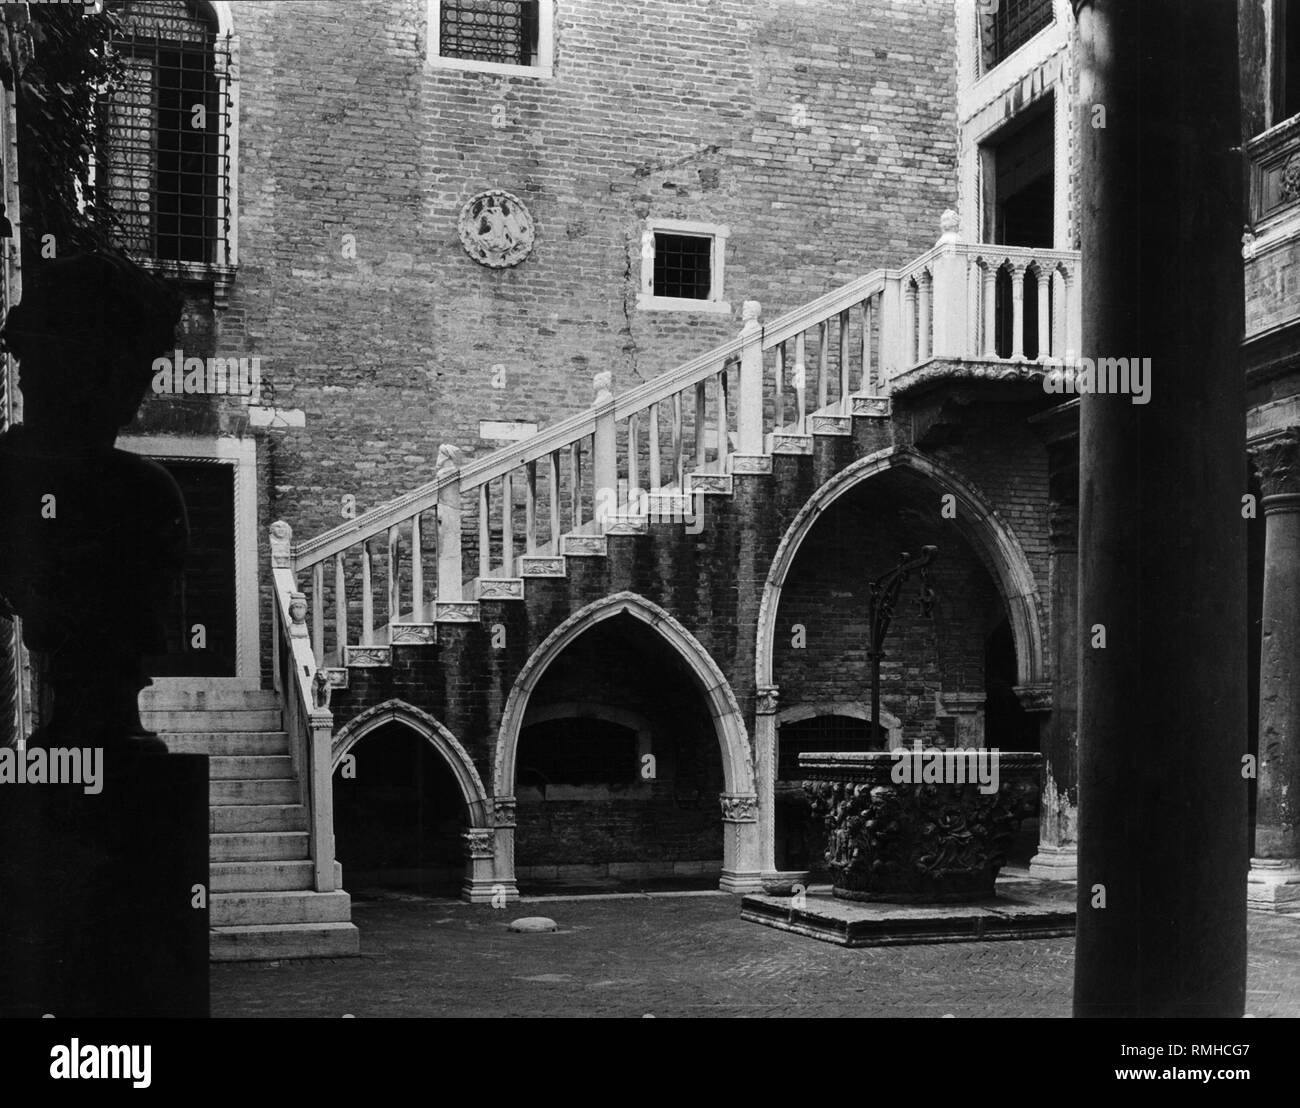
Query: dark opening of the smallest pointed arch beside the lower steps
point(400, 820)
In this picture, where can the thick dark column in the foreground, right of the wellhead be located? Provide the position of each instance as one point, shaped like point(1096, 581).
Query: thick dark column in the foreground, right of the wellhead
point(1163, 700)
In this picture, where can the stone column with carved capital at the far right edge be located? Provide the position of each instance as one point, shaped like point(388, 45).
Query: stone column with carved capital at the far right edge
point(1275, 878)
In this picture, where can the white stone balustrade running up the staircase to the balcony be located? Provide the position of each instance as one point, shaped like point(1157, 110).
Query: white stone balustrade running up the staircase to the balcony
point(515, 512)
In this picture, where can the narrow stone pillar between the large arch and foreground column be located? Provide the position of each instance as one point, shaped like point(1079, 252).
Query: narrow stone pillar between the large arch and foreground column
point(1059, 811)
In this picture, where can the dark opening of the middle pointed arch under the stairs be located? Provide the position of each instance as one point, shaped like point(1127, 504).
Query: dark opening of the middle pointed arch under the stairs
point(619, 771)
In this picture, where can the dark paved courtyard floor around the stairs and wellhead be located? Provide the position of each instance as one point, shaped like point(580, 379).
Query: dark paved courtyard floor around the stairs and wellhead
point(678, 955)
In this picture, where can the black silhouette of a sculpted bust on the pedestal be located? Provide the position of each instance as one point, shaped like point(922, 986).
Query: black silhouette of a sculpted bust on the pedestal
point(92, 538)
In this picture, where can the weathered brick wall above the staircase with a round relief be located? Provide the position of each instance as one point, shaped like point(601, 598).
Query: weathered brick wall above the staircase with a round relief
point(822, 135)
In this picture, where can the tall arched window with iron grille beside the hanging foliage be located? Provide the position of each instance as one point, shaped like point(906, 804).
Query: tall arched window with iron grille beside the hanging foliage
point(167, 149)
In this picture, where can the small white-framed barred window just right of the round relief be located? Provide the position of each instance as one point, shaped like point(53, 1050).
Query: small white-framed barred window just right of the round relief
point(682, 267)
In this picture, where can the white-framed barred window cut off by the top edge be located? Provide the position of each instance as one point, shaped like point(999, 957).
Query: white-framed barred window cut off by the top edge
point(492, 36)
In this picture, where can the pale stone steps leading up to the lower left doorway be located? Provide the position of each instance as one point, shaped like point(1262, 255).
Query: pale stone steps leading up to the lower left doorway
point(262, 898)
